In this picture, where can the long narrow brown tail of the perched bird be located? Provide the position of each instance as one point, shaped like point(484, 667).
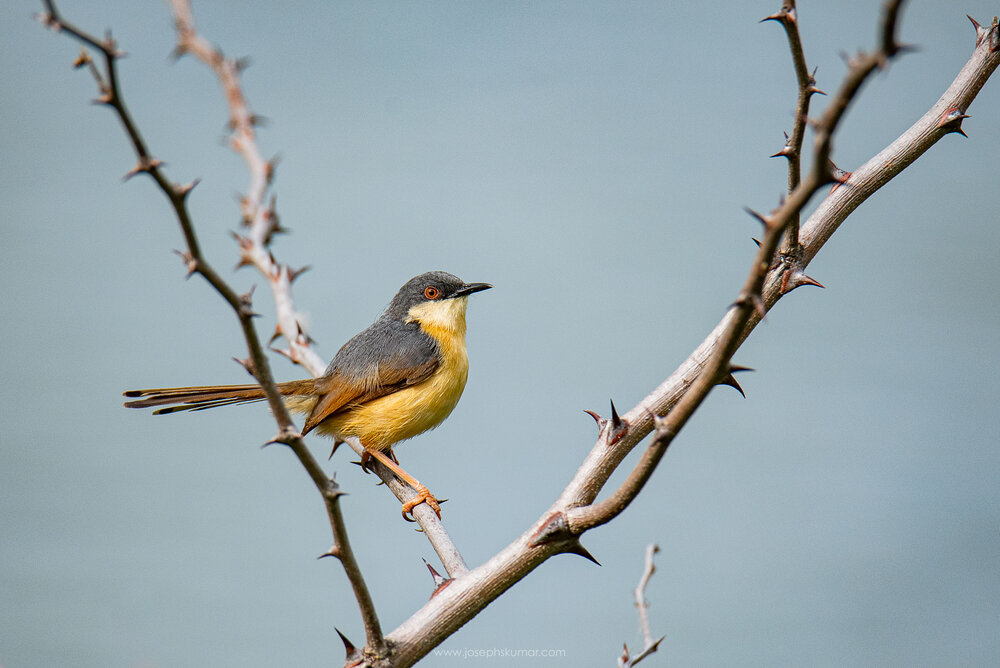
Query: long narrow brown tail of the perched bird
point(201, 397)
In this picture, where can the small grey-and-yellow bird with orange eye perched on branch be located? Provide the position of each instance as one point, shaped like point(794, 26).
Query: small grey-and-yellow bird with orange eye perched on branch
point(400, 377)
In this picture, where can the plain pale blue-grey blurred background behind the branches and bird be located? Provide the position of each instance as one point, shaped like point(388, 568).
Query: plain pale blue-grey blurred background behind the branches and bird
point(591, 160)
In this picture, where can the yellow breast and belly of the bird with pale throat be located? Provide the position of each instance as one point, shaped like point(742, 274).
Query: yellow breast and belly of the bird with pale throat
point(382, 422)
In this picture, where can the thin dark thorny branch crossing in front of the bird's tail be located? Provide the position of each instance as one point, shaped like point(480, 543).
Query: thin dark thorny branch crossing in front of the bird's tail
point(257, 364)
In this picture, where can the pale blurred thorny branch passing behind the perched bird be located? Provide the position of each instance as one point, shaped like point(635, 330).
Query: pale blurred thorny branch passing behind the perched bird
point(259, 215)
